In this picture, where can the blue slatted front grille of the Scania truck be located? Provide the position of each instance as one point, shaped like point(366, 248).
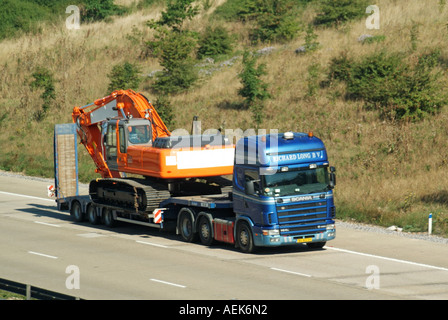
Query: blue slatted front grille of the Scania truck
point(299, 219)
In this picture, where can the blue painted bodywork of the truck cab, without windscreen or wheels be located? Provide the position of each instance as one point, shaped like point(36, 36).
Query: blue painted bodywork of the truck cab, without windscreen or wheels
point(308, 215)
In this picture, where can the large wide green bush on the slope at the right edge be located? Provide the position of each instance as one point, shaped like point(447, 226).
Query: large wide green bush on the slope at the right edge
point(388, 82)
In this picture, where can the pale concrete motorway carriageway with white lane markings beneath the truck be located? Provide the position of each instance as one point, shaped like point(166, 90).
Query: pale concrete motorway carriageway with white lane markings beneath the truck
point(38, 243)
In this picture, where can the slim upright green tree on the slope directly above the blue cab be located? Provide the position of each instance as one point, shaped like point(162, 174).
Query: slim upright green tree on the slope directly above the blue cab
point(254, 90)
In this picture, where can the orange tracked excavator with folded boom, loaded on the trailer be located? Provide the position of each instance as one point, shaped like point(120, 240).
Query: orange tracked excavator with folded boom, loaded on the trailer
point(124, 134)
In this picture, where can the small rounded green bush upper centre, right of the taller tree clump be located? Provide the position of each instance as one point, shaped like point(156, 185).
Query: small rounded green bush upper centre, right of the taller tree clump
point(215, 42)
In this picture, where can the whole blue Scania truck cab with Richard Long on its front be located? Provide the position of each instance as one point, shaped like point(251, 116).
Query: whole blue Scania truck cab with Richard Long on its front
point(283, 191)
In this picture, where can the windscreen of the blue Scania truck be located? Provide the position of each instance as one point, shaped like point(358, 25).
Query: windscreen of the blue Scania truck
point(296, 182)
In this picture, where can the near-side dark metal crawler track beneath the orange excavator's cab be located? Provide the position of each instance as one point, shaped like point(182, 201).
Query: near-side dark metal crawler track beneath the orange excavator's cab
point(130, 194)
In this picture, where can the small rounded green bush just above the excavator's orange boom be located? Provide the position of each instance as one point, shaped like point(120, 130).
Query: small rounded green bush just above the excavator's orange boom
point(124, 76)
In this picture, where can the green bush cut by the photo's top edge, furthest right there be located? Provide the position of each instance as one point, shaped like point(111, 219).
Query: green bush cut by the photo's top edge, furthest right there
point(336, 12)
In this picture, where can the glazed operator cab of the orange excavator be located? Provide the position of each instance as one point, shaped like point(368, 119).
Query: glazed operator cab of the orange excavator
point(122, 133)
